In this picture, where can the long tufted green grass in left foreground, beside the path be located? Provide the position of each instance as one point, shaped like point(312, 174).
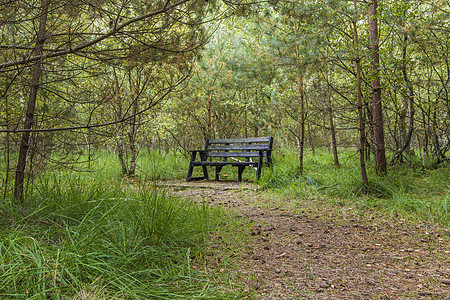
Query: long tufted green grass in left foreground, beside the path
point(83, 237)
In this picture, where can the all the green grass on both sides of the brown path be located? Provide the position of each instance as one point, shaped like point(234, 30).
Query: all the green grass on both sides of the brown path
point(99, 235)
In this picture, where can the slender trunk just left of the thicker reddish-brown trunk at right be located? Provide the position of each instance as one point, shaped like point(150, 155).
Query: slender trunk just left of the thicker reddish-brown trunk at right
point(359, 104)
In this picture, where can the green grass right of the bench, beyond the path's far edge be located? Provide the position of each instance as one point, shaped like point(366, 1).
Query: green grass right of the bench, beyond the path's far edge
point(408, 191)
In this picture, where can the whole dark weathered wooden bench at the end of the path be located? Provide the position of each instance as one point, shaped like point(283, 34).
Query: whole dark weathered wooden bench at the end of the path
point(240, 151)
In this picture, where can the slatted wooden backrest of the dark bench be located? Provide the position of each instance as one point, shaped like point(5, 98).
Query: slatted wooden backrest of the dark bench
point(239, 147)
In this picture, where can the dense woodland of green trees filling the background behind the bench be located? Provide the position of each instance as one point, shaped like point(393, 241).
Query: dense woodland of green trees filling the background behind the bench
point(78, 77)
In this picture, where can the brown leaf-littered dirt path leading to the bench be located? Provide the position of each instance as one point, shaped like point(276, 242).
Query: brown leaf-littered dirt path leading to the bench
point(296, 248)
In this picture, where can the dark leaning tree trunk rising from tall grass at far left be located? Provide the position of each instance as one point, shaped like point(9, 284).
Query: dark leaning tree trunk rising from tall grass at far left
point(31, 106)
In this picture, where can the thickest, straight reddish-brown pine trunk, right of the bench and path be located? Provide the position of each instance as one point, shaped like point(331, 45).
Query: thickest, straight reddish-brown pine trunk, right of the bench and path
point(378, 130)
